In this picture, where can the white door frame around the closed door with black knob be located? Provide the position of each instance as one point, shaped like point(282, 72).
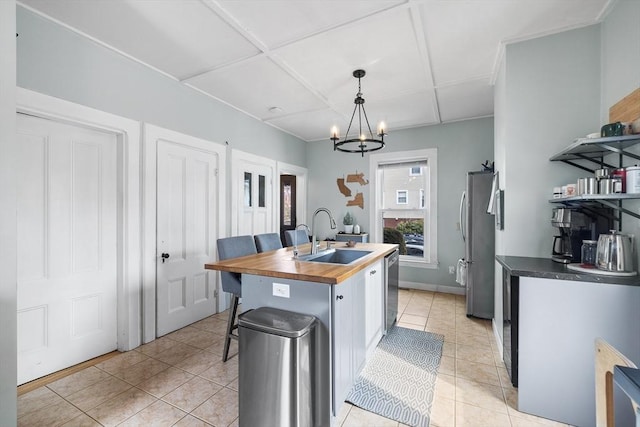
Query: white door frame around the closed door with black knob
point(150, 134)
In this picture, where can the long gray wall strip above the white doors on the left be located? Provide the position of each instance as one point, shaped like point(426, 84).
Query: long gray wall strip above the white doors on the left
point(59, 62)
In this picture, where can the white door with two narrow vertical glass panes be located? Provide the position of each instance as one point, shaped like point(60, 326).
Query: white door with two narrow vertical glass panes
point(255, 197)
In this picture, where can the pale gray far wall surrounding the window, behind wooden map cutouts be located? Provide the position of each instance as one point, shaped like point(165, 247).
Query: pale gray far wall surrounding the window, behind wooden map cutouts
point(462, 147)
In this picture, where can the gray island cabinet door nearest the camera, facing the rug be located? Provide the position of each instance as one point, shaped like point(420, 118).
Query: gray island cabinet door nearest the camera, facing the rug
point(342, 341)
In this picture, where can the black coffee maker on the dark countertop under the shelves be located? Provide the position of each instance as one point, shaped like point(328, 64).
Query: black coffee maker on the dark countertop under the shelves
point(573, 227)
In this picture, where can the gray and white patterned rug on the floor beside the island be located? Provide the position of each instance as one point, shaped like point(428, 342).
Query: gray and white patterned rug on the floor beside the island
point(399, 379)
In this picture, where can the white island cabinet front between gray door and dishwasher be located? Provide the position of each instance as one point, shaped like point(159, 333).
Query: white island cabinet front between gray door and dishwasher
point(374, 306)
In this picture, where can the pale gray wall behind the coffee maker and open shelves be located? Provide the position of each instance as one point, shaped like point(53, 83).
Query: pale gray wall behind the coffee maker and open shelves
point(547, 94)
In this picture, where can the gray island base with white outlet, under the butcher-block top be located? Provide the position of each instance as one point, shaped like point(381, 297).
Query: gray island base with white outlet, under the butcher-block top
point(342, 330)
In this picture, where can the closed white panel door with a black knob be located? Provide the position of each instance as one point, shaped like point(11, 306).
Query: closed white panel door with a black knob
point(186, 236)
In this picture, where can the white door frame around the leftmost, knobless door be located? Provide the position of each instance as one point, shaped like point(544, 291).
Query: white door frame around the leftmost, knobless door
point(128, 162)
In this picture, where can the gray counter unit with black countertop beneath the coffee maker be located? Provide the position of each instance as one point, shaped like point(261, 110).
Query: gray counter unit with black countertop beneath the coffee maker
point(552, 316)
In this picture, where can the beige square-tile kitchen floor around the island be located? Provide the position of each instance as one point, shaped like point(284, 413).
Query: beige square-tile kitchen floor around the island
point(180, 380)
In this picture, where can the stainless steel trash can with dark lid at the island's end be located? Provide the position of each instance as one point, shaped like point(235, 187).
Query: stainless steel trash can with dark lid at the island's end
point(277, 368)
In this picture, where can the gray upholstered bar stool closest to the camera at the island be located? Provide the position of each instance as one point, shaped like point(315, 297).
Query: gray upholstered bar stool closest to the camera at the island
point(233, 247)
